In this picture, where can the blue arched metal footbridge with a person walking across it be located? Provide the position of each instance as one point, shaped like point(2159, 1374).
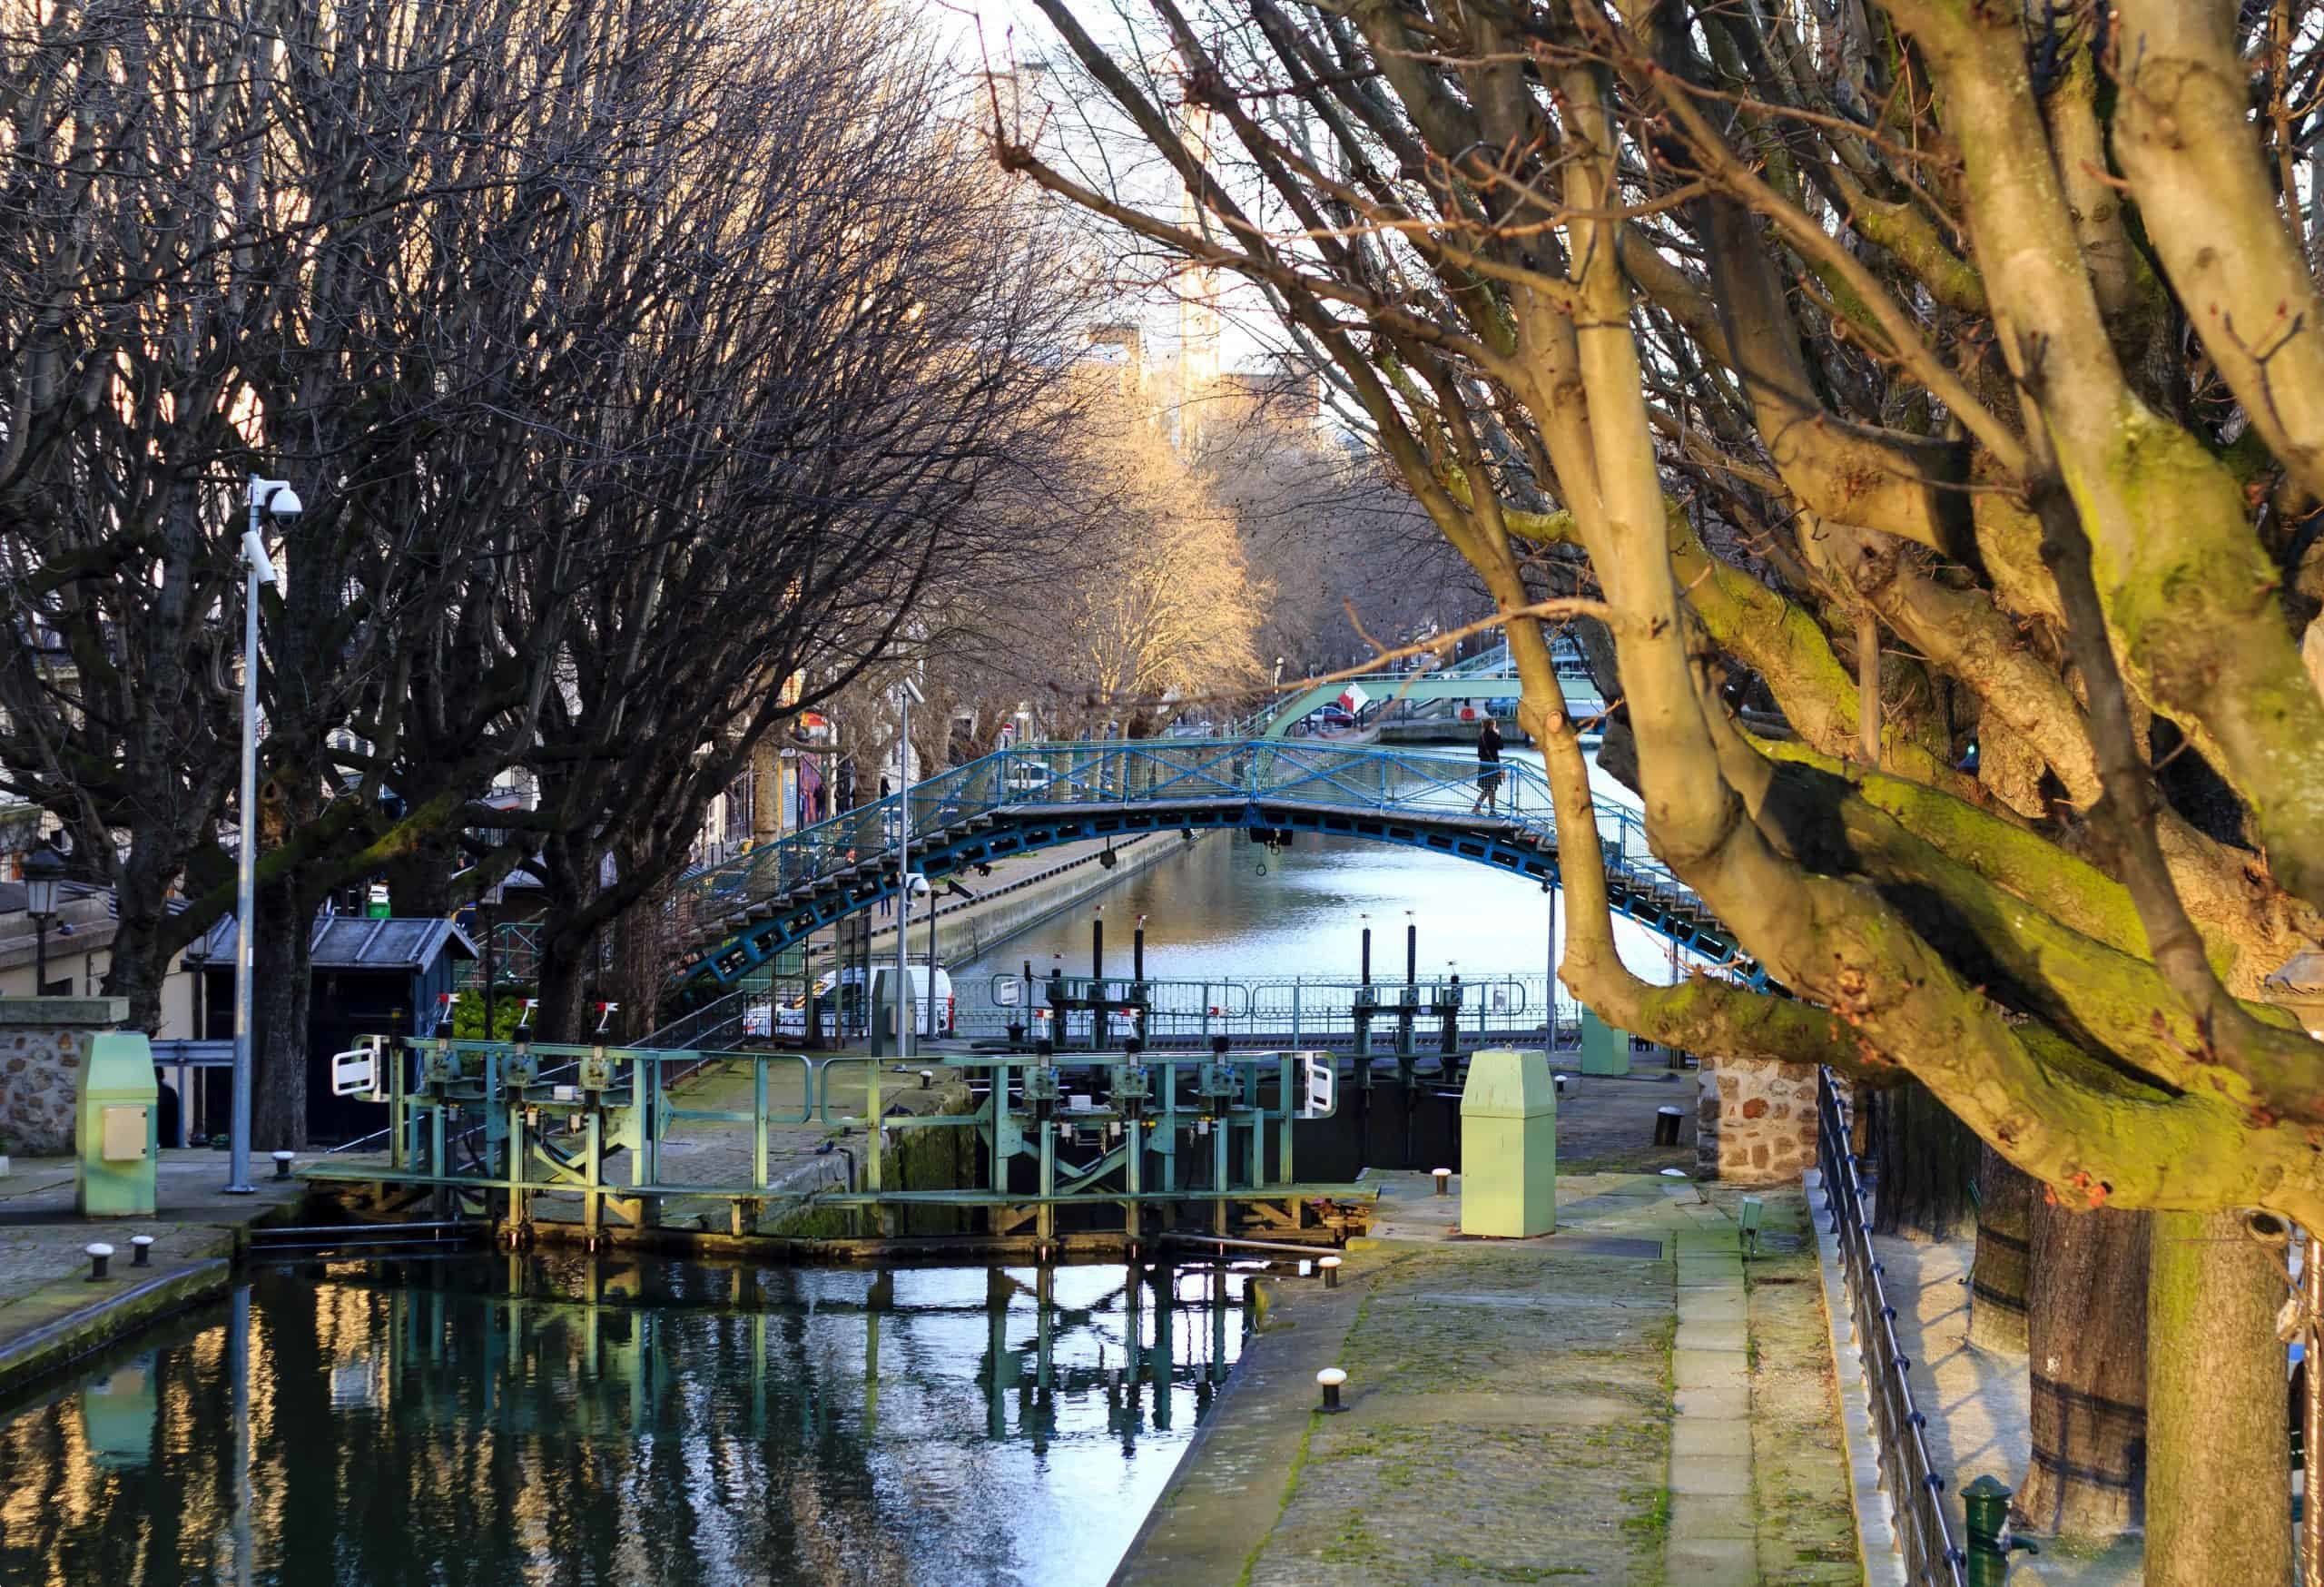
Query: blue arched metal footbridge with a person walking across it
point(740, 914)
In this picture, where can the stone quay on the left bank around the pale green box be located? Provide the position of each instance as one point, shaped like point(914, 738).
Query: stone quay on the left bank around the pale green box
point(50, 1309)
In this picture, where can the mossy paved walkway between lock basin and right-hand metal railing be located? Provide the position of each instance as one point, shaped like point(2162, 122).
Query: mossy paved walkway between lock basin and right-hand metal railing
point(1579, 1407)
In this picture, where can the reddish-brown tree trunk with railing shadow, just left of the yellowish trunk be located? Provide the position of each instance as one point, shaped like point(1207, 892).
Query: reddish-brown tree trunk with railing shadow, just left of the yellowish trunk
point(2088, 1330)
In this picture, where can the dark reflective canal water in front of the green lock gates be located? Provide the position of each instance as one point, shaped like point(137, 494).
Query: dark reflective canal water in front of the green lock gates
point(566, 1421)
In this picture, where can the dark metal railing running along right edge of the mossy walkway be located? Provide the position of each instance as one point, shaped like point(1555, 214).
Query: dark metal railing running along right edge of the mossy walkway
point(1914, 1486)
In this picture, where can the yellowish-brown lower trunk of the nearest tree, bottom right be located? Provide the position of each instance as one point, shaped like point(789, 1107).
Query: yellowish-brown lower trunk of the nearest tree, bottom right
point(2218, 1423)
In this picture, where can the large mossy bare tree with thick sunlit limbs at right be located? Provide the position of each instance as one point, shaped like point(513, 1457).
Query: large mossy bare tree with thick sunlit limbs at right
point(1942, 375)
